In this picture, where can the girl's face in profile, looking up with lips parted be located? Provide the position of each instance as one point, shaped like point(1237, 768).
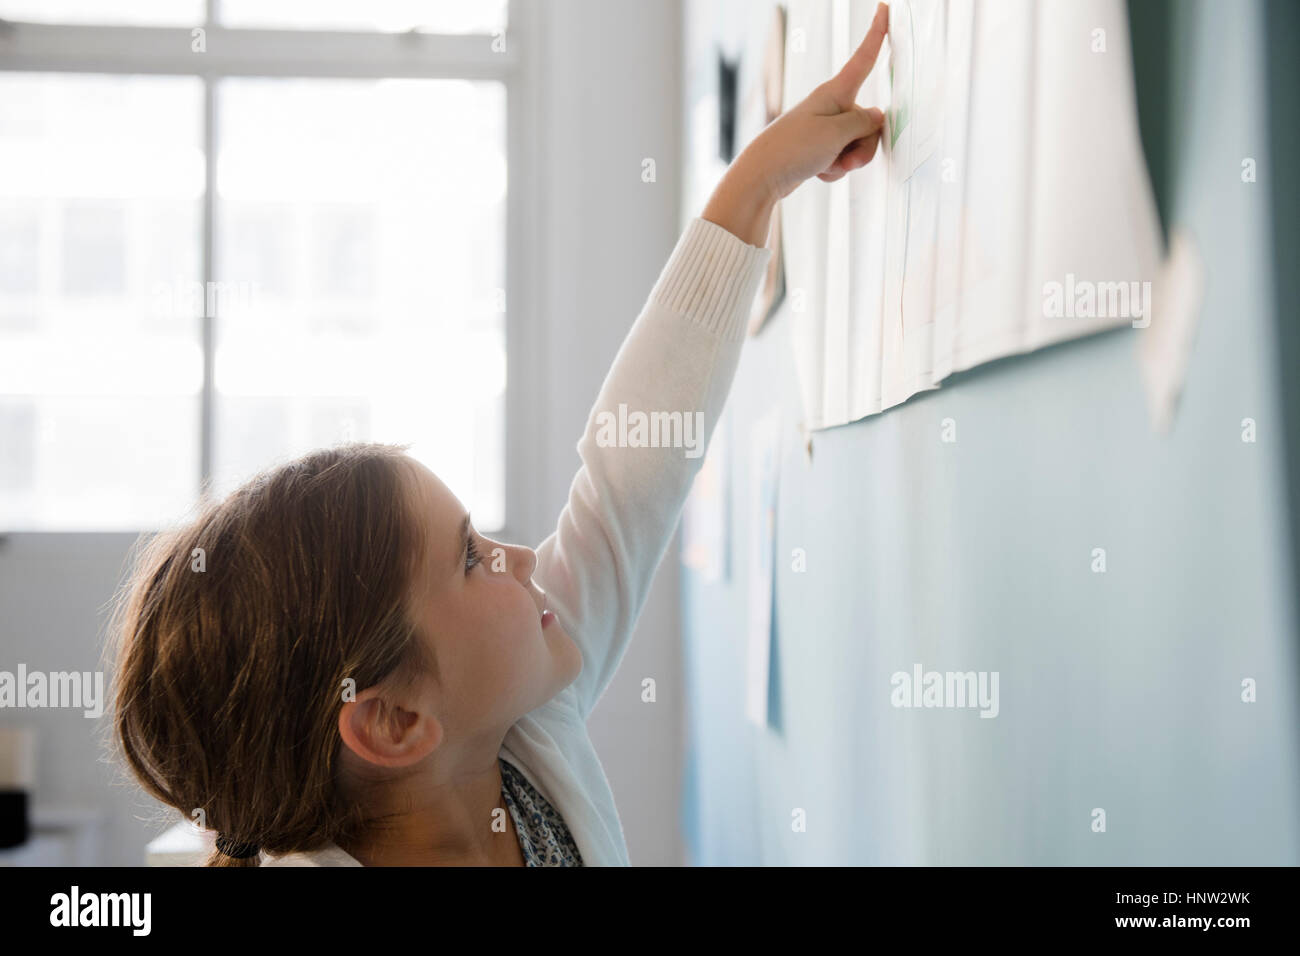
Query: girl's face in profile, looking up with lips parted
point(478, 607)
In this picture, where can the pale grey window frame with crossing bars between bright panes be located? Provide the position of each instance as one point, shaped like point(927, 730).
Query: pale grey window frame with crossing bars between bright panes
point(341, 55)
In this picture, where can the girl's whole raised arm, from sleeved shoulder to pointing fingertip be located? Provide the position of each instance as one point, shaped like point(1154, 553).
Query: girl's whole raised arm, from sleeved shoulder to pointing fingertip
point(655, 416)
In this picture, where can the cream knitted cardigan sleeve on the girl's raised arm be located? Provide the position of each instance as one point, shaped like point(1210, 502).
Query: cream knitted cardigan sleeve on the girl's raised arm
point(644, 443)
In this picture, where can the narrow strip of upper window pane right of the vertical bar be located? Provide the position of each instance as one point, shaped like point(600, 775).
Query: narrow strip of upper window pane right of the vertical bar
point(397, 16)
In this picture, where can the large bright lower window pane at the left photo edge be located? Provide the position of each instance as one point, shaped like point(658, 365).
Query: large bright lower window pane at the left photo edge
point(101, 366)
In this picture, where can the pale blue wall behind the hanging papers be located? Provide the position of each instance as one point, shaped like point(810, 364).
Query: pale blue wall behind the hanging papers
point(1119, 690)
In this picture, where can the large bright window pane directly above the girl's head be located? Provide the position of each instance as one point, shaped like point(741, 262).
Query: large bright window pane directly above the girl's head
point(361, 256)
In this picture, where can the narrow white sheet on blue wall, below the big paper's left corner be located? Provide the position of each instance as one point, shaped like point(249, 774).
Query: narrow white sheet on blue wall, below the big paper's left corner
point(765, 473)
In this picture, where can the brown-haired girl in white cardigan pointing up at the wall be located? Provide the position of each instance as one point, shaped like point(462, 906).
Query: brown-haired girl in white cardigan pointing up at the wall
point(354, 676)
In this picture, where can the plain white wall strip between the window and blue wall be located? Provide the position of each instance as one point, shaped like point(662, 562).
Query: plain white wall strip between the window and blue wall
point(612, 79)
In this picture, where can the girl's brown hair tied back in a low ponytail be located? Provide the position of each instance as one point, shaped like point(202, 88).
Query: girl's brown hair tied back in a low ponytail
point(232, 660)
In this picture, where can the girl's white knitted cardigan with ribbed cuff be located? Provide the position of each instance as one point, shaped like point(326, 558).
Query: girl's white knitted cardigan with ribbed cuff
point(622, 512)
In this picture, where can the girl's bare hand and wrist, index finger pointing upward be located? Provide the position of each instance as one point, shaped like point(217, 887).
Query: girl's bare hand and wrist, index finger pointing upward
point(826, 136)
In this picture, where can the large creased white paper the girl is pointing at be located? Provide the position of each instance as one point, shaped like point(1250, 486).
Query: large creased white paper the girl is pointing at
point(1011, 165)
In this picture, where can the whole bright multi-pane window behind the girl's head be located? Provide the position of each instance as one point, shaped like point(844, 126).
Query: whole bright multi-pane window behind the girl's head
point(236, 233)
